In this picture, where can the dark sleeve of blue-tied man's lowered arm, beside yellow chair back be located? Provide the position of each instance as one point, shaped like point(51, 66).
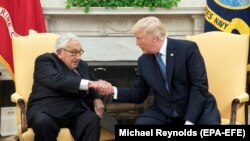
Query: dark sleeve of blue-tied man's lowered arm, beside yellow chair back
point(198, 83)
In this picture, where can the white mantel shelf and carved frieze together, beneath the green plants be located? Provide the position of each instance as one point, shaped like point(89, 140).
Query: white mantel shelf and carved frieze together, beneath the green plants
point(117, 22)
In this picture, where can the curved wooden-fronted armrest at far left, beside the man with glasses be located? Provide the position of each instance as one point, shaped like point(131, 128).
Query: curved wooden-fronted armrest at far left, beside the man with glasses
point(20, 104)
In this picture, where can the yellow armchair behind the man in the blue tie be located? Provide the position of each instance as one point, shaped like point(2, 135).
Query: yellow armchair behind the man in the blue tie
point(225, 56)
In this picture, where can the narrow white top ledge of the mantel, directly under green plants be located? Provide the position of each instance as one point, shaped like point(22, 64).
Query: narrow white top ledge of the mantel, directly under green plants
point(123, 11)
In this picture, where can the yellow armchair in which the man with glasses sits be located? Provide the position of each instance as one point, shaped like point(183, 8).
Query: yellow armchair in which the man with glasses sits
point(25, 51)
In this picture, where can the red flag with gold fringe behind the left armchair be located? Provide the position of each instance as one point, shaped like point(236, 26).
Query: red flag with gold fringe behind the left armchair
point(17, 17)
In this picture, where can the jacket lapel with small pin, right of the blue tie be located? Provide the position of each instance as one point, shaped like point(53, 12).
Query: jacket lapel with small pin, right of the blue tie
point(171, 53)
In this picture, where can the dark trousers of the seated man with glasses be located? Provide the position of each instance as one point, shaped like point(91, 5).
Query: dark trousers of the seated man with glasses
point(83, 124)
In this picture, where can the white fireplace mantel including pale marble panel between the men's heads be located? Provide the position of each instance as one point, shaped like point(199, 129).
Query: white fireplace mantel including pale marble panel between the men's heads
point(96, 27)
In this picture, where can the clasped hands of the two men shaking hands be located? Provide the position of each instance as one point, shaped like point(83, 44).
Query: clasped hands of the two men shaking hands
point(102, 87)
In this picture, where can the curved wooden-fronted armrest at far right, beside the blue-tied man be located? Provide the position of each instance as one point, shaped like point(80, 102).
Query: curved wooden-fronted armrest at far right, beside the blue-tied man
point(241, 98)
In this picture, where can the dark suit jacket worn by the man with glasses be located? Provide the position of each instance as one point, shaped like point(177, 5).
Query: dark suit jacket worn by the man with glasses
point(56, 88)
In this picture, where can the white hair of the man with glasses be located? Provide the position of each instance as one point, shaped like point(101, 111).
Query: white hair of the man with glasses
point(63, 40)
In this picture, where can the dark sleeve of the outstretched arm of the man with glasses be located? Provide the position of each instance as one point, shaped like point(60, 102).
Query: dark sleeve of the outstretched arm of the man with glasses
point(48, 72)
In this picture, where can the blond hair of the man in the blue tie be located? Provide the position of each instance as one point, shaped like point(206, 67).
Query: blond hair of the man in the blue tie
point(152, 26)
